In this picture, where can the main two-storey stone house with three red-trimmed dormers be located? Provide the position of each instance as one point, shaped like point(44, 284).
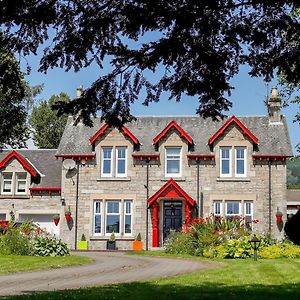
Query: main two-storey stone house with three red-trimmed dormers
point(155, 174)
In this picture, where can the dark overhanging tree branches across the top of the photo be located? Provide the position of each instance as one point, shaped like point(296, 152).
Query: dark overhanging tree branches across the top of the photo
point(199, 45)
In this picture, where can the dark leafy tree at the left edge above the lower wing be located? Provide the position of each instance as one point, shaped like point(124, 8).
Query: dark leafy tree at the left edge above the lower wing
point(13, 128)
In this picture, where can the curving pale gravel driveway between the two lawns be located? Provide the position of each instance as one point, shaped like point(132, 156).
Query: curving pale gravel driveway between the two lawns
point(108, 268)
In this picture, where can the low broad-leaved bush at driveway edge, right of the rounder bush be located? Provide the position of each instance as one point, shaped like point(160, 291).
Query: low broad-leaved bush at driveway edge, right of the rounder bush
point(48, 246)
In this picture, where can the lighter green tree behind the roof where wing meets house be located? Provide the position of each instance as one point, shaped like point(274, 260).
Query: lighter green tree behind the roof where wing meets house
point(47, 126)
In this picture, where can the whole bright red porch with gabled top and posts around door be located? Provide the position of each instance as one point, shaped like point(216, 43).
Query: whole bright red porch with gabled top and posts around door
point(170, 190)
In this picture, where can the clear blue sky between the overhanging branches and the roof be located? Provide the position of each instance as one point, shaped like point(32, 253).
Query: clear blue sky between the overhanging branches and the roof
point(247, 97)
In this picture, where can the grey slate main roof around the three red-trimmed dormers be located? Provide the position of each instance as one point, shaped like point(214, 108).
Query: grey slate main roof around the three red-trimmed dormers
point(273, 138)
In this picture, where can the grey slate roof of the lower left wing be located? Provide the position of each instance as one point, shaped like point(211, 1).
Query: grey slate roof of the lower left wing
point(44, 162)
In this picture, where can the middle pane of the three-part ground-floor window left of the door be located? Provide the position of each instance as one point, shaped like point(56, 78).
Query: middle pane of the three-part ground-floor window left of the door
point(112, 217)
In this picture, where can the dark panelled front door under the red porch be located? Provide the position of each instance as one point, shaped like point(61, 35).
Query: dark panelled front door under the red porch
point(172, 217)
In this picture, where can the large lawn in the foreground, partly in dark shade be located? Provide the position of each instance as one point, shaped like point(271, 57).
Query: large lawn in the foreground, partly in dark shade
point(238, 279)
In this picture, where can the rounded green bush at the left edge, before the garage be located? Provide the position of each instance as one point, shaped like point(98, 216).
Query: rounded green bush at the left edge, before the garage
point(15, 243)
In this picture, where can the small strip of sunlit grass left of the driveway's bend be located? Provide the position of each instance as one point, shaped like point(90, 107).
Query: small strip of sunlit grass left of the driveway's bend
point(14, 263)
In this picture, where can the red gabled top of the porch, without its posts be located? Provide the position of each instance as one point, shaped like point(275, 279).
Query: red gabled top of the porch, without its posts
point(172, 190)
